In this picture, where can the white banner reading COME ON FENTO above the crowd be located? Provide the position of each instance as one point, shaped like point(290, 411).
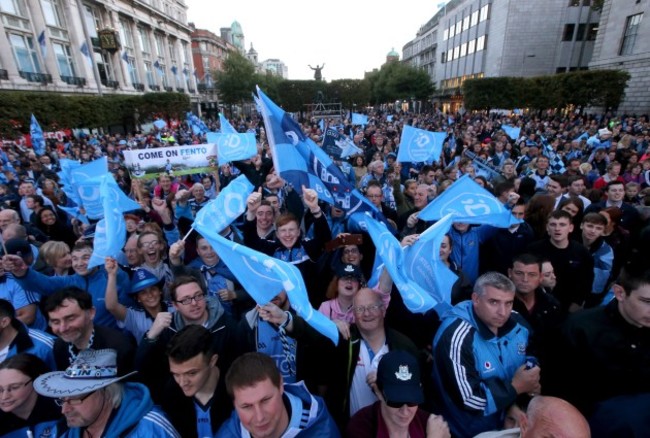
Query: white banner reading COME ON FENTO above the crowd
point(174, 160)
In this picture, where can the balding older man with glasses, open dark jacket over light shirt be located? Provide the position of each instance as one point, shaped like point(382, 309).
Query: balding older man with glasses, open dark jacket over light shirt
point(353, 367)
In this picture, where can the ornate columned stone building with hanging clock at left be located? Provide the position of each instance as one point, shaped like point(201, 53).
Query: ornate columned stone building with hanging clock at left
point(94, 46)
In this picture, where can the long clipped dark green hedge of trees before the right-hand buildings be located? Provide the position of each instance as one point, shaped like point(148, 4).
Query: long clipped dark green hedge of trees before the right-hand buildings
point(603, 88)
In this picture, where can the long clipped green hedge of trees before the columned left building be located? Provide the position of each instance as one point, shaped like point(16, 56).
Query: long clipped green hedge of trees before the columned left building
point(55, 111)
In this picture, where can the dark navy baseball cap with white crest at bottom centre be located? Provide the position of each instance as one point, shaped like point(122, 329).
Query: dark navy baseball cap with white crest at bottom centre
point(398, 375)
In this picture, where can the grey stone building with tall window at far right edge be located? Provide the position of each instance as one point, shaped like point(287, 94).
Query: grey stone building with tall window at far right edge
point(623, 42)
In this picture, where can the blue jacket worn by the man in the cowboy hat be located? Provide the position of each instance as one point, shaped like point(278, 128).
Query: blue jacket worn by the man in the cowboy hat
point(135, 418)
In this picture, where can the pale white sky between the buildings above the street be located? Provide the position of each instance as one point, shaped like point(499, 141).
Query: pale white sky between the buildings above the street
point(349, 36)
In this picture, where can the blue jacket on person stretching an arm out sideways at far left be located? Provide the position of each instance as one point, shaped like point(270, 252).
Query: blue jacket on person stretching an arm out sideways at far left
point(94, 283)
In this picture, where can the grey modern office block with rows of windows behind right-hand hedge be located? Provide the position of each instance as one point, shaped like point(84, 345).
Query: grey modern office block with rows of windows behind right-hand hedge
point(469, 39)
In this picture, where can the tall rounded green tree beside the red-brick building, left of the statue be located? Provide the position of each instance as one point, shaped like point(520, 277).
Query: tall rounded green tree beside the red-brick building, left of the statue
point(236, 81)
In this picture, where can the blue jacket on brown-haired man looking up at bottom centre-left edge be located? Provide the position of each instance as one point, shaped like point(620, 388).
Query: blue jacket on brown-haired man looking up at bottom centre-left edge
point(309, 417)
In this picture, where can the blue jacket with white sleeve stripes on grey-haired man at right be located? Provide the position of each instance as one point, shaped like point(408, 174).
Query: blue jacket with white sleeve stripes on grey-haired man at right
point(473, 369)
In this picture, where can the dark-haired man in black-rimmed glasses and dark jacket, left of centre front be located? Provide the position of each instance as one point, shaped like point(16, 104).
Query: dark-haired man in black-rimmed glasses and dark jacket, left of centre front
point(193, 306)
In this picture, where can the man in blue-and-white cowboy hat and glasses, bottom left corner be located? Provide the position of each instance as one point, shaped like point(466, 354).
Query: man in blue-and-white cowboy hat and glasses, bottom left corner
point(96, 403)
